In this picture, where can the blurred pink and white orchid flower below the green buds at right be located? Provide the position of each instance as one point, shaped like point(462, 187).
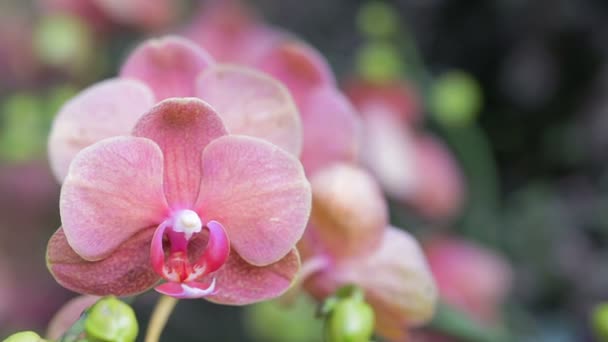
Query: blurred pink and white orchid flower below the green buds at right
point(411, 166)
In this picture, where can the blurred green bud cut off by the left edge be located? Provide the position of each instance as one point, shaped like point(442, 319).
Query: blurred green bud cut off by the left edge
point(22, 132)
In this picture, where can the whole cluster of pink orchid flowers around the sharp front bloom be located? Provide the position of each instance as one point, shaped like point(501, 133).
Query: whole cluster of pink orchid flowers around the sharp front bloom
point(236, 182)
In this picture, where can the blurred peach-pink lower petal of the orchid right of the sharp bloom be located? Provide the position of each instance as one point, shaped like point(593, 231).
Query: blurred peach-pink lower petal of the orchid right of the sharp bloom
point(396, 280)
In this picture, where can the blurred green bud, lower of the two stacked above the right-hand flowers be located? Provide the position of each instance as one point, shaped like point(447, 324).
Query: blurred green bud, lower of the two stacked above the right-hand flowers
point(379, 62)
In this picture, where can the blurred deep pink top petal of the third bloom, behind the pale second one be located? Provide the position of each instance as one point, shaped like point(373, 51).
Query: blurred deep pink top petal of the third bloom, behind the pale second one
point(299, 66)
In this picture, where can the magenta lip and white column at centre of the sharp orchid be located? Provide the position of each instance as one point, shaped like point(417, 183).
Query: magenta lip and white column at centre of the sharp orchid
point(170, 257)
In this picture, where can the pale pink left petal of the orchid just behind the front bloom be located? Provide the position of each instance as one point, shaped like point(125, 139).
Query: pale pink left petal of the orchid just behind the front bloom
point(104, 110)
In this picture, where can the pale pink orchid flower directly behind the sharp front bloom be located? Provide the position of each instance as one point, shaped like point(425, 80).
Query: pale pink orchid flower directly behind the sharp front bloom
point(249, 102)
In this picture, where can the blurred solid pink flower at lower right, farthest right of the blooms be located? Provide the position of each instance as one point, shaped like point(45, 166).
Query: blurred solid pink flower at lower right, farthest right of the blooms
point(470, 277)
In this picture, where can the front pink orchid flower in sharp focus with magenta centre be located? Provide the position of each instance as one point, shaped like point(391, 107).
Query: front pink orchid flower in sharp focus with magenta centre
point(214, 215)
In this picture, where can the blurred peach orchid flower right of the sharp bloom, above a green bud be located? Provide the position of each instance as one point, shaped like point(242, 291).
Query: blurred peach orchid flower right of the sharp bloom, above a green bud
point(349, 241)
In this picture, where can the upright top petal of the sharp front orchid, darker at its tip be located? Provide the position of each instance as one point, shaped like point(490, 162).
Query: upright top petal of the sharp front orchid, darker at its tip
point(182, 128)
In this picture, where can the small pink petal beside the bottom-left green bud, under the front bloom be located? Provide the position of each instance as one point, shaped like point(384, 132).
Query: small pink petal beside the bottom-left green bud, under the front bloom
point(68, 314)
